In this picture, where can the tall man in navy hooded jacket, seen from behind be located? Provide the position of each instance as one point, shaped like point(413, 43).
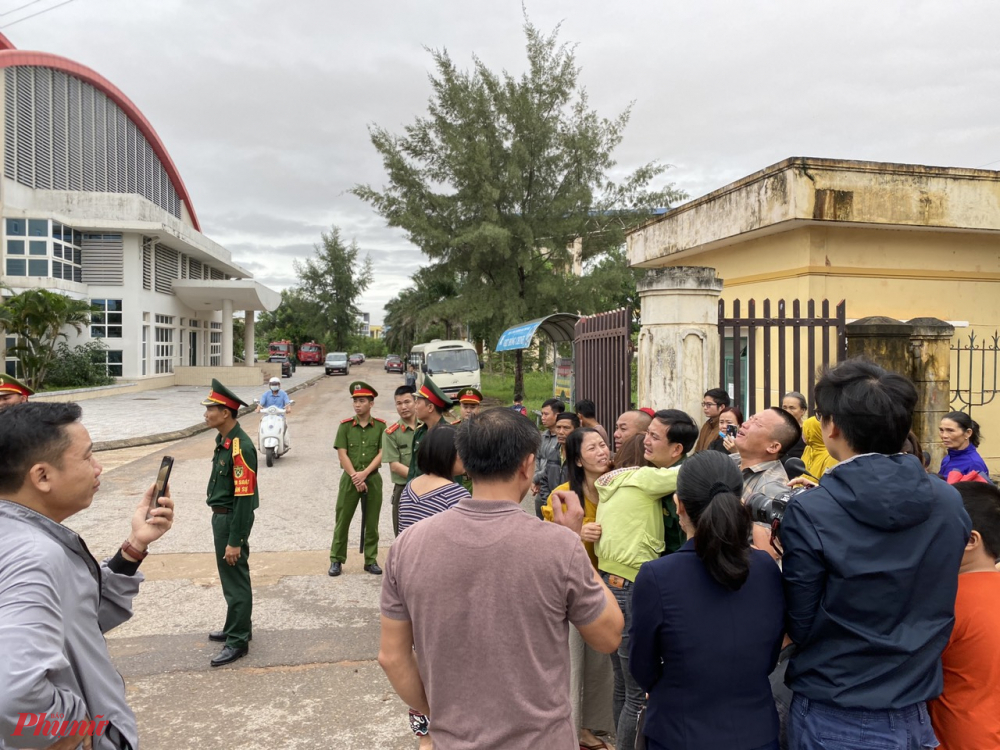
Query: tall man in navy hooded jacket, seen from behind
point(871, 560)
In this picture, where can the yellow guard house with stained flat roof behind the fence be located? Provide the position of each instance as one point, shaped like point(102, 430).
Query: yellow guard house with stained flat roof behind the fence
point(898, 240)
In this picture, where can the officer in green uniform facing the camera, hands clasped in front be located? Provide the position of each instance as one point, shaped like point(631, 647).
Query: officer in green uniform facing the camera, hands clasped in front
point(359, 447)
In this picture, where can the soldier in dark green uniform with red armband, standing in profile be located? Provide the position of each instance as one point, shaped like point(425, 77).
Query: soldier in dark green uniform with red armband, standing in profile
point(233, 498)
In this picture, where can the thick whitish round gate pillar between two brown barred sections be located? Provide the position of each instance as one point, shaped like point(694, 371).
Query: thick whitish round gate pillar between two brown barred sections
point(679, 341)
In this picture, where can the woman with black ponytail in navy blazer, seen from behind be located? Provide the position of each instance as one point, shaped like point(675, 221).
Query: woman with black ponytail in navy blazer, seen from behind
point(707, 622)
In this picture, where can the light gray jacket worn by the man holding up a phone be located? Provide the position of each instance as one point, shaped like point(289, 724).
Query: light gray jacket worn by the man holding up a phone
point(56, 602)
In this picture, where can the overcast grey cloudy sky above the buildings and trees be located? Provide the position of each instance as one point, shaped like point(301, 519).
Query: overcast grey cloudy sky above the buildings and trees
point(264, 106)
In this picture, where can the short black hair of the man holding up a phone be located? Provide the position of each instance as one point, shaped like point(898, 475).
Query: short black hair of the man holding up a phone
point(32, 433)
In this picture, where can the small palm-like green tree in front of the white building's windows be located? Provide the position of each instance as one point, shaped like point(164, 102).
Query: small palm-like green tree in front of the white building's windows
point(39, 319)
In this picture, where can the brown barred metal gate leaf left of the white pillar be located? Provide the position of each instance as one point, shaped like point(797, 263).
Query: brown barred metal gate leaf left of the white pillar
point(602, 356)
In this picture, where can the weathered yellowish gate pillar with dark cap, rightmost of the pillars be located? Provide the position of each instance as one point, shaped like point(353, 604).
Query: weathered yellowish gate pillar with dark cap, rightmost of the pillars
point(930, 344)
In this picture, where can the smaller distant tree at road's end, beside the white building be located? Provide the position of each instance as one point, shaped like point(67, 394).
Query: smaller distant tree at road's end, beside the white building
point(333, 282)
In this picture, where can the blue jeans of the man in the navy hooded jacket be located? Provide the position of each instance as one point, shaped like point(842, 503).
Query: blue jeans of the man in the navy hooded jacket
point(819, 725)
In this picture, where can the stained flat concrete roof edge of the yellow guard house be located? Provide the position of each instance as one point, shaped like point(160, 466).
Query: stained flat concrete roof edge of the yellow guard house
point(801, 191)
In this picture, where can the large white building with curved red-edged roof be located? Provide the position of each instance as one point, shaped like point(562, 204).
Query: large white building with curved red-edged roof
point(93, 207)
